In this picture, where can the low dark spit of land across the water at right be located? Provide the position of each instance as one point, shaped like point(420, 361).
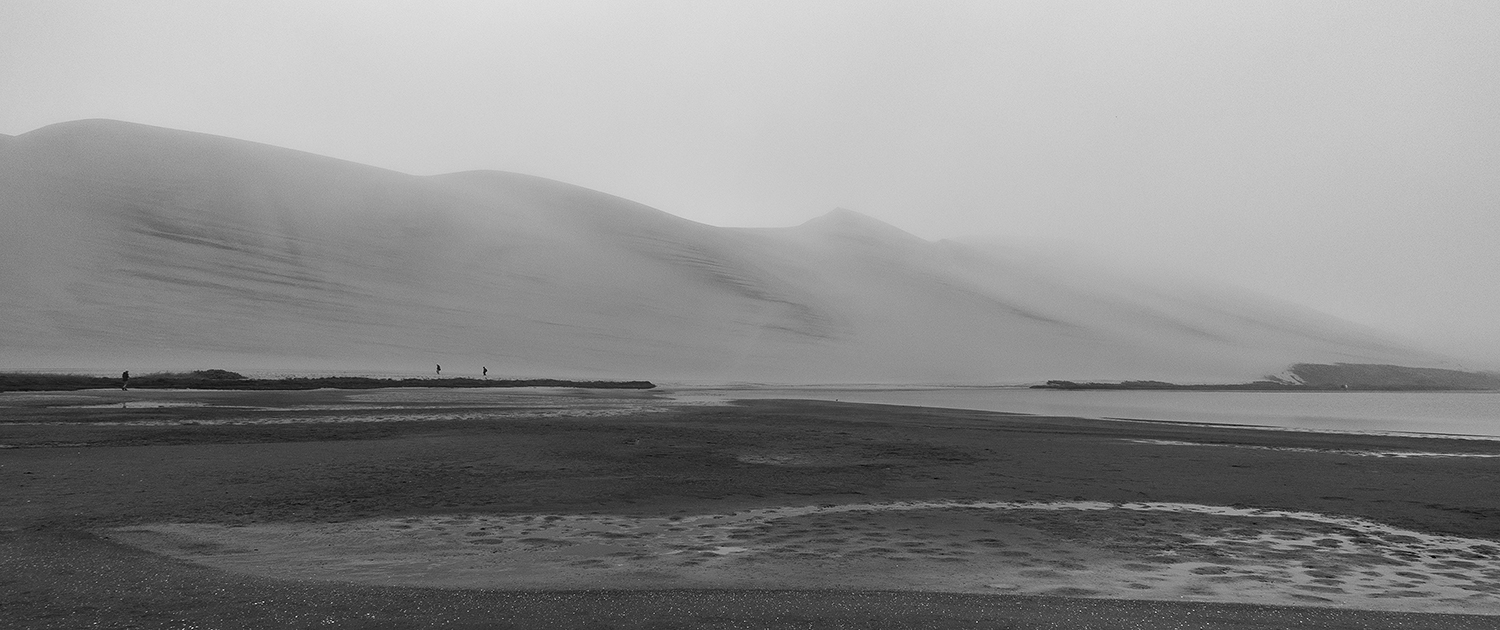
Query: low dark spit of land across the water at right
point(1322, 377)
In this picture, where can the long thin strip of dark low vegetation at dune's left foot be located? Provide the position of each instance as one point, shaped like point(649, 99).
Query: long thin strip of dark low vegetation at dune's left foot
point(226, 380)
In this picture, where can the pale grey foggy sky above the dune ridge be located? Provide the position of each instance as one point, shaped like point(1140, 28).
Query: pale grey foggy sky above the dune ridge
point(1345, 155)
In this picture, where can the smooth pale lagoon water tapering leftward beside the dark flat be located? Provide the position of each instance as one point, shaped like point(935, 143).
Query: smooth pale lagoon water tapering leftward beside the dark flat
point(1454, 413)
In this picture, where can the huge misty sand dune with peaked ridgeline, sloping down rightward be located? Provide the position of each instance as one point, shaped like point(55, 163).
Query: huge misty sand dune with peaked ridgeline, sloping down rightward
point(149, 248)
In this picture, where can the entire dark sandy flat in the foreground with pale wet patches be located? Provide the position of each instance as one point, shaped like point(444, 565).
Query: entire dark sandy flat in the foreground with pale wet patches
point(631, 509)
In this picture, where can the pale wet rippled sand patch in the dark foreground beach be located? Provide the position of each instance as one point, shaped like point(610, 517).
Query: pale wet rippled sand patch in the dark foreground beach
point(1144, 551)
